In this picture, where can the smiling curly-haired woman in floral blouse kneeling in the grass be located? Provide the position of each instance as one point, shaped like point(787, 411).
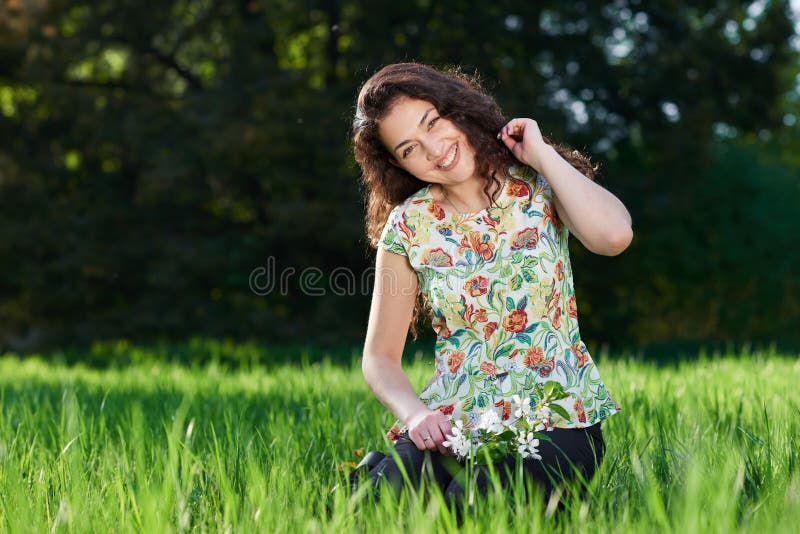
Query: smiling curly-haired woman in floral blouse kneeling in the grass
point(472, 213)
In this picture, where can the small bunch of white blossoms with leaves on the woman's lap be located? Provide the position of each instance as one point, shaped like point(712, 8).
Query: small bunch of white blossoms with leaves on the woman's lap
point(496, 438)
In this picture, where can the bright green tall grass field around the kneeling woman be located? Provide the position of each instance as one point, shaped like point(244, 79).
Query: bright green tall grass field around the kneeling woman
point(707, 445)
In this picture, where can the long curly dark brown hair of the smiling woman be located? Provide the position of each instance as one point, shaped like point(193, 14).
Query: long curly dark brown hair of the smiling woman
point(458, 97)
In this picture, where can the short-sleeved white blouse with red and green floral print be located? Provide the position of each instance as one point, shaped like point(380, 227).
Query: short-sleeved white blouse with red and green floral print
point(499, 283)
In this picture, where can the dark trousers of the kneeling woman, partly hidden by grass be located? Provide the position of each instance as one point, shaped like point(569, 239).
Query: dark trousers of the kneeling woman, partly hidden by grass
point(567, 453)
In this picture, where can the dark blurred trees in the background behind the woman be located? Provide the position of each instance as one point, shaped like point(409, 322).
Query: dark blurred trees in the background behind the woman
point(154, 154)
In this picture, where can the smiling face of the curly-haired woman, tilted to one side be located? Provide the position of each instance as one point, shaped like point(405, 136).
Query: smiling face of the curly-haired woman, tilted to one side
point(428, 146)
